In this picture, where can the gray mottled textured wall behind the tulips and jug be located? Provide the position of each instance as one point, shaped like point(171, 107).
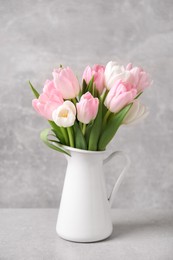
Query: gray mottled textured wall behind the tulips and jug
point(35, 37)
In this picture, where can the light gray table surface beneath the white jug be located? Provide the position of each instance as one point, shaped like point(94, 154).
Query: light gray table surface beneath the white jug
point(30, 234)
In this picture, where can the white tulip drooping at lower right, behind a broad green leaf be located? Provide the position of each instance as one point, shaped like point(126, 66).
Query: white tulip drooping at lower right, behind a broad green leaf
point(137, 113)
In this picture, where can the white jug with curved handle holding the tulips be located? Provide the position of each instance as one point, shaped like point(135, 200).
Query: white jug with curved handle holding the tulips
point(84, 213)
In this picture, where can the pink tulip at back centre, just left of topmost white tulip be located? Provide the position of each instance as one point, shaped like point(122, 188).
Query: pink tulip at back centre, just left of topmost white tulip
point(98, 72)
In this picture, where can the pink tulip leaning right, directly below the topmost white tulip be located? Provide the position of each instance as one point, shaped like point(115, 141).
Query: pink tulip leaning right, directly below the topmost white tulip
point(120, 95)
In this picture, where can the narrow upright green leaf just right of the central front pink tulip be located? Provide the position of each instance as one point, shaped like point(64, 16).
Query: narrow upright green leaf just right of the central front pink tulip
point(96, 129)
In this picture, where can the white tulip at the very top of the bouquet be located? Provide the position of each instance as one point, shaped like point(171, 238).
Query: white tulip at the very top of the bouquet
point(113, 72)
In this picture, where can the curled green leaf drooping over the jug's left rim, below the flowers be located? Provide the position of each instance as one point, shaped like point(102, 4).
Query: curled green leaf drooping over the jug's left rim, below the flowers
point(44, 137)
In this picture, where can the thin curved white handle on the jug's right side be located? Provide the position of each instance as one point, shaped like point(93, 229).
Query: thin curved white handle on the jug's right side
point(121, 176)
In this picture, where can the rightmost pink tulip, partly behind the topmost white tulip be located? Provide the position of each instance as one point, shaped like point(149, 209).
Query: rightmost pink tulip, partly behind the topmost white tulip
point(138, 78)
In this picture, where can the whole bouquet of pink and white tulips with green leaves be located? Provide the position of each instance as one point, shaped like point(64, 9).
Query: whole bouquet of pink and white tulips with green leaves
point(87, 116)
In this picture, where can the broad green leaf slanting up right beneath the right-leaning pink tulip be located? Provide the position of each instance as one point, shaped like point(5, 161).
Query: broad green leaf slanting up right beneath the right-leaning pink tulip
point(112, 126)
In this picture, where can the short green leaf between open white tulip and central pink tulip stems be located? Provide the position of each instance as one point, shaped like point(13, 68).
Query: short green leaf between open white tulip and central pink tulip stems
point(80, 142)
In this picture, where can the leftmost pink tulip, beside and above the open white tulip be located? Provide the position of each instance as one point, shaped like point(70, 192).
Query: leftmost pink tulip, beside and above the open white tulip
point(48, 101)
